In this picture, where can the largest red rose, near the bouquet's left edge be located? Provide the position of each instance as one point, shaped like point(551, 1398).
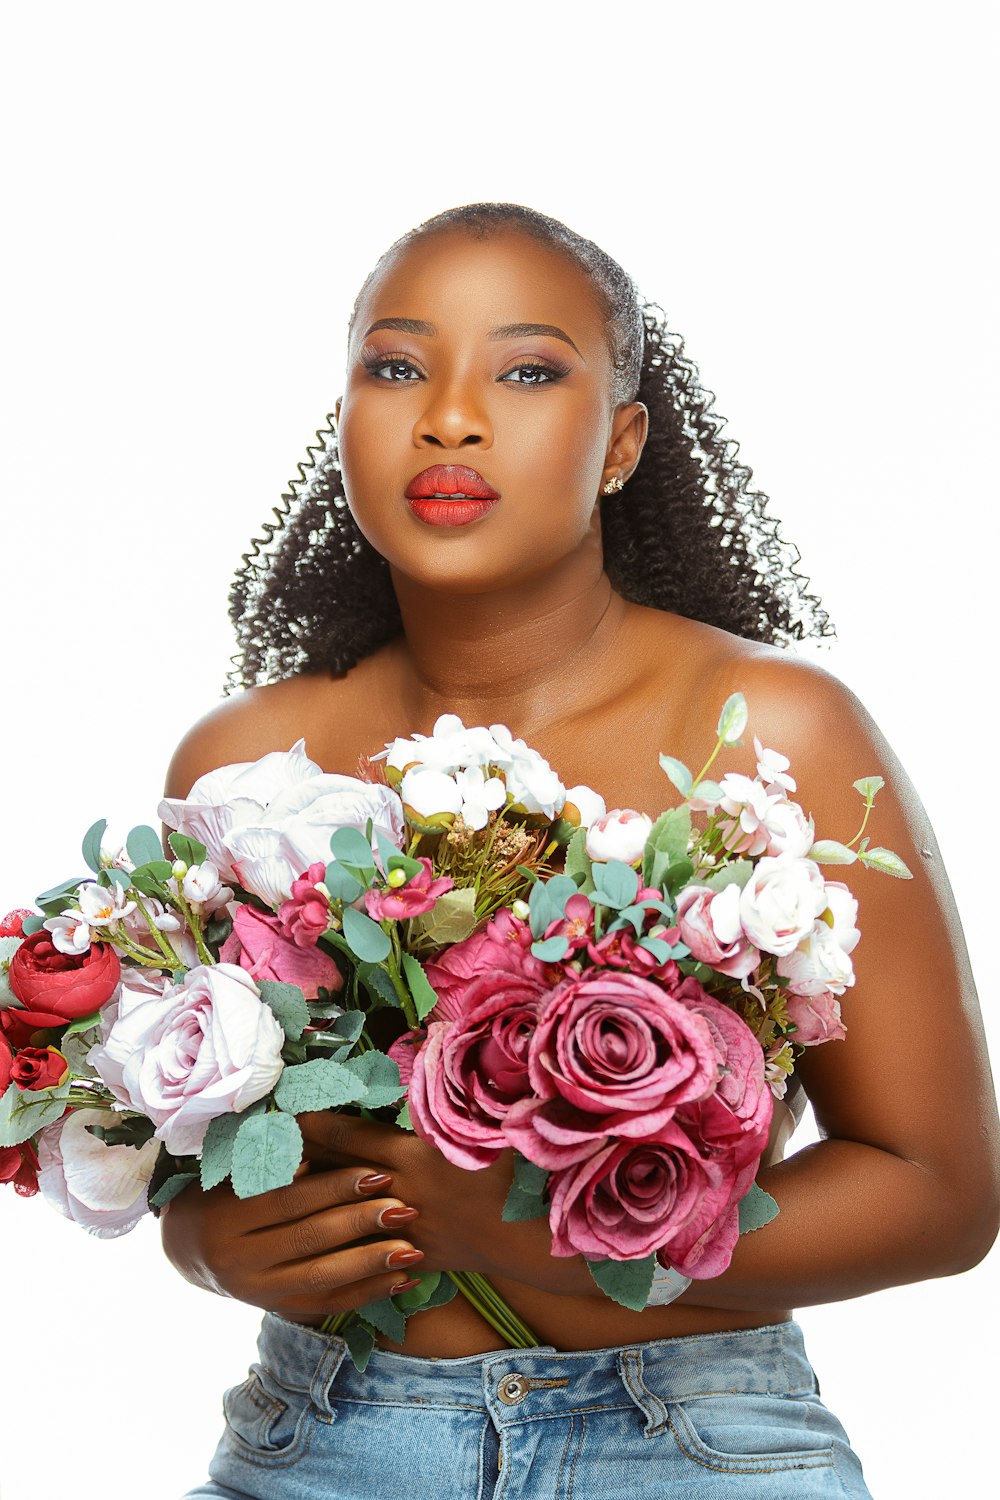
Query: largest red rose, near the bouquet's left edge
point(58, 988)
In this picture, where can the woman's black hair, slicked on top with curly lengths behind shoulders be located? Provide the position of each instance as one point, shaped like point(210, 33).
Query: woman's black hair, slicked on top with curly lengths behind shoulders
point(690, 535)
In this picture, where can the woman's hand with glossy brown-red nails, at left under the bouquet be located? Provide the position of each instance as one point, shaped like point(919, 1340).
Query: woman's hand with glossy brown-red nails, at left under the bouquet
point(302, 1252)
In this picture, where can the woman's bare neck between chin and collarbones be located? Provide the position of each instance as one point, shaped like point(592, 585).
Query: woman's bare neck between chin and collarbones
point(509, 655)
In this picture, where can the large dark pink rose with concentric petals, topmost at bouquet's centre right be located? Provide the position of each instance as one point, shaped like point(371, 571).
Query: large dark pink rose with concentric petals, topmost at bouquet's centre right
point(624, 1051)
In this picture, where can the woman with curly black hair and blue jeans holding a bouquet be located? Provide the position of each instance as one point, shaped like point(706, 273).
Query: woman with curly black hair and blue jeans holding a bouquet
point(603, 587)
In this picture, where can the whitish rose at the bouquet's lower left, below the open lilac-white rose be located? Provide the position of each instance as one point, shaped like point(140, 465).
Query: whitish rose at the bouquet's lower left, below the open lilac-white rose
point(103, 1189)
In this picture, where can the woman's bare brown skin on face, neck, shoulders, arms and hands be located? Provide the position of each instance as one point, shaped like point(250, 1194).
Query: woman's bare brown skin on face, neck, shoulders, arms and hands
point(513, 619)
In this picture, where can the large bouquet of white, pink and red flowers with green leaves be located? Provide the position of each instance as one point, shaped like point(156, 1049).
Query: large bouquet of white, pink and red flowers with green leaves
point(615, 998)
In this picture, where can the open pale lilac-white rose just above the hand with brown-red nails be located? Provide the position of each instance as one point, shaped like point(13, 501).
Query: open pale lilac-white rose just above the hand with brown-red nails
point(206, 1048)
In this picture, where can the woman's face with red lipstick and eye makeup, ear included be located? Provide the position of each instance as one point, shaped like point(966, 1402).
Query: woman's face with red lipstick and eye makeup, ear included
point(487, 356)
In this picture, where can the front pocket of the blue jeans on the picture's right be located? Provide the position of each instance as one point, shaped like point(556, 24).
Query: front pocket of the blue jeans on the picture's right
point(753, 1435)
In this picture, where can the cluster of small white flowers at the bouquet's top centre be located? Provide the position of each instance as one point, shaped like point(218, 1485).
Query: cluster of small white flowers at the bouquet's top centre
point(478, 772)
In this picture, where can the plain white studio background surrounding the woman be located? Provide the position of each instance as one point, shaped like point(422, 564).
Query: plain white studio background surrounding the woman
point(193, 199)
